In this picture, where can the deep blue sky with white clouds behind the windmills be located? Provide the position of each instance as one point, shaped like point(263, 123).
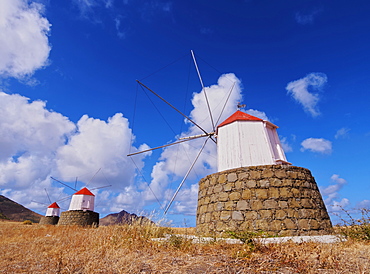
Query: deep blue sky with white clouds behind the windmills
point(70, 105)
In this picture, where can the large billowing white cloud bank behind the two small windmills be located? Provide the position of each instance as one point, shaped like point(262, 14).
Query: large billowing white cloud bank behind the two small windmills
point(37, 143)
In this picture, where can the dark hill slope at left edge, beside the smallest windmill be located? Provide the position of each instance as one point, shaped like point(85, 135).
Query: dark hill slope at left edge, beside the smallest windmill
point(11, 210)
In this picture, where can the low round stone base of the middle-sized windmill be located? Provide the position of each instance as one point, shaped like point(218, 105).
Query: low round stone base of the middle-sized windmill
point(79, 217)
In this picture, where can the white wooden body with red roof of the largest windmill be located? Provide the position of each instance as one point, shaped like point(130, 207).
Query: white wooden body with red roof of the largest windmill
point(244, 140)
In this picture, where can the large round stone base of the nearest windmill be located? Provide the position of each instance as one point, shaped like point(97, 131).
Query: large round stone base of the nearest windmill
point(276, 199)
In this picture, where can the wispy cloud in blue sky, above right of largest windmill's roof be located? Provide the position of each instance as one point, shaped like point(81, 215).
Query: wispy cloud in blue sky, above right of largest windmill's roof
point(302, 91)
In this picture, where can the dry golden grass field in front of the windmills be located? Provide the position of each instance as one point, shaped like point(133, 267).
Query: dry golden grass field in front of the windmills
point(129, 249)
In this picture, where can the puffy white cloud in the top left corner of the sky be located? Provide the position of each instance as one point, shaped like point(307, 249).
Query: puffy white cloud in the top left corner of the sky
point(24, 45)
